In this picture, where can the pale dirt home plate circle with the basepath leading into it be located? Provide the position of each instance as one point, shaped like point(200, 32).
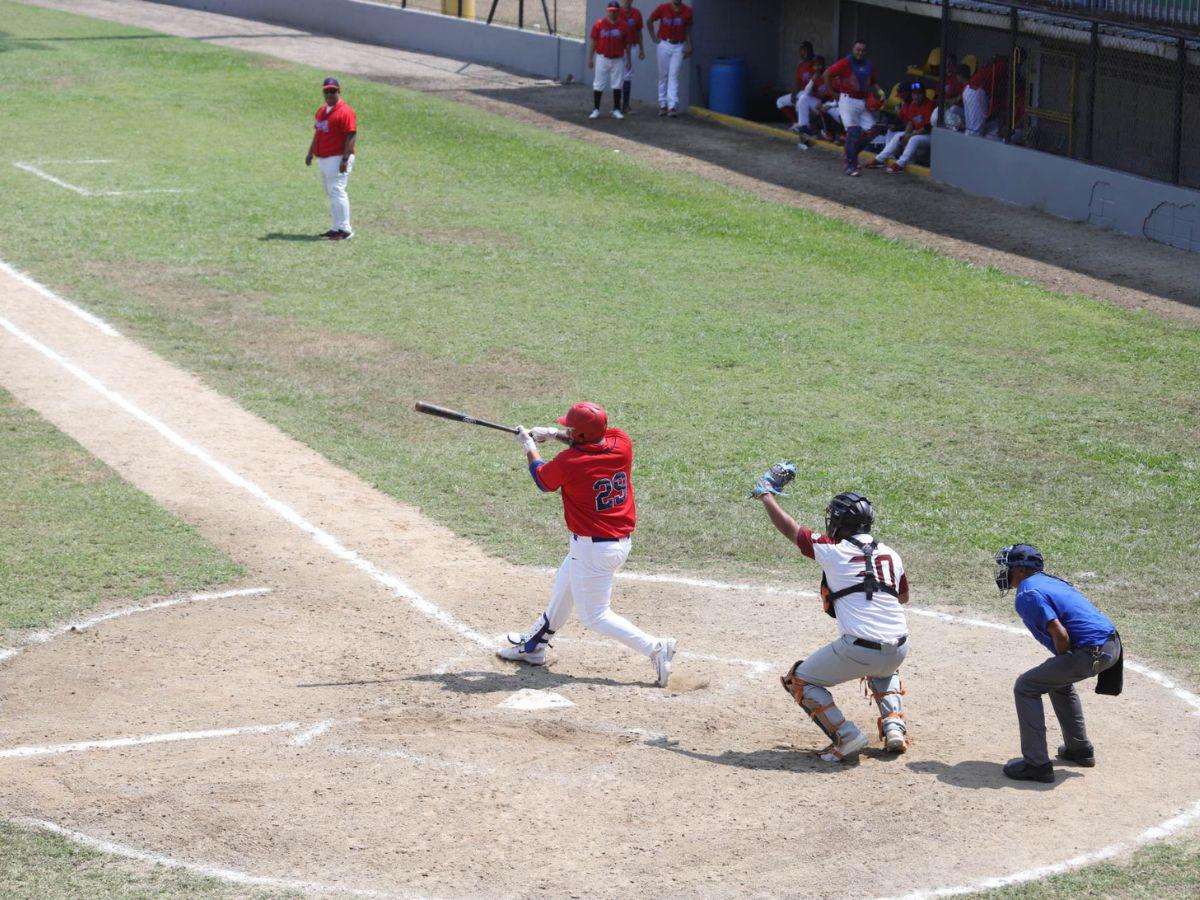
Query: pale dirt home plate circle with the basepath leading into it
point(423, 783)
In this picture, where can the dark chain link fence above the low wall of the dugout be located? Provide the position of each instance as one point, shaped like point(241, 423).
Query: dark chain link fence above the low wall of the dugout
point(1120, 97)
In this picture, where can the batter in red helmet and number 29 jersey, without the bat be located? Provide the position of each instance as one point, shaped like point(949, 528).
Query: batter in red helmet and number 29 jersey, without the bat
point(593, 476)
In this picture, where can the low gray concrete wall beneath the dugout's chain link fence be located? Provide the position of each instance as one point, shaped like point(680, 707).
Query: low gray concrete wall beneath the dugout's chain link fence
point(1070, 189)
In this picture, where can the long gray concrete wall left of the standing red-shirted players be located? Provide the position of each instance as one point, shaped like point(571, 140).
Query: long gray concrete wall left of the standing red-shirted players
point(526, 52)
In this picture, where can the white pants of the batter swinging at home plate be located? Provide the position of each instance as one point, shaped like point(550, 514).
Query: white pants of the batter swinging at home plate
point(585, 584)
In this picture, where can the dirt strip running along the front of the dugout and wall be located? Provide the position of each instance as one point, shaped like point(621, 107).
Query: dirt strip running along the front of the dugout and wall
point(1059, 255)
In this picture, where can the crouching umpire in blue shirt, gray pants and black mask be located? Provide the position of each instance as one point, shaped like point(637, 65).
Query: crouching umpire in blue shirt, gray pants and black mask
point(1084, 643)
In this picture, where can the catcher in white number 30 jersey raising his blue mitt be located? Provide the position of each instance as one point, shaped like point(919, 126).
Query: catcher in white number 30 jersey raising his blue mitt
point(863, 586)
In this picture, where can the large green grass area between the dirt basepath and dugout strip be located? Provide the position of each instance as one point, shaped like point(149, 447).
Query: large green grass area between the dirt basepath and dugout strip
point(509, 272)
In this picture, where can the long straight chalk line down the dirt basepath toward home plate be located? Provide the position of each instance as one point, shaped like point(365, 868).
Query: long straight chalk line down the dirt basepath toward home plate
point(323, 539)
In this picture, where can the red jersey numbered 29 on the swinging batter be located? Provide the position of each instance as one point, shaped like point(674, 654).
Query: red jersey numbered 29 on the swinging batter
point(598, 491)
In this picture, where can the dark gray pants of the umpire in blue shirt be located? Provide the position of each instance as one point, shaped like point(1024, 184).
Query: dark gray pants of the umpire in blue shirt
point(1058, 677)
